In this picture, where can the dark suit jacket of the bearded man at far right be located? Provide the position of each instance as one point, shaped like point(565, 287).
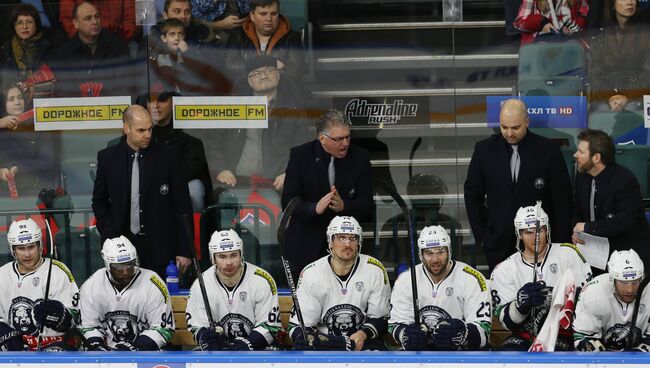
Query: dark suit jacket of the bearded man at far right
point(618, 209)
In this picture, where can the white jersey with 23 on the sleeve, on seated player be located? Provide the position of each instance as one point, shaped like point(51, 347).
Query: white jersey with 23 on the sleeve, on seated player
point(464, 294)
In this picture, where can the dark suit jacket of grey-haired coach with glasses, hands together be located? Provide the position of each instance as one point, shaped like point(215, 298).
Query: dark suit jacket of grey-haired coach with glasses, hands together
point(306, 177)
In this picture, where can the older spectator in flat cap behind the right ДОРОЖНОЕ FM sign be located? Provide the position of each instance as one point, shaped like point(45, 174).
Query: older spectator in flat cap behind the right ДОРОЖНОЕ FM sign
point(262, 152)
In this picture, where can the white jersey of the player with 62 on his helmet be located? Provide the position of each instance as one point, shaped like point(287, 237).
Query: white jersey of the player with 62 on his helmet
point(251, 305)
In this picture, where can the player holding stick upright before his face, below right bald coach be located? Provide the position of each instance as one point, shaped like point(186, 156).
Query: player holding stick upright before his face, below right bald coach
point(521, 304)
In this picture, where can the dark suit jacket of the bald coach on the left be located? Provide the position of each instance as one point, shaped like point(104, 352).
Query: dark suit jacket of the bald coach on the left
point(164, 200)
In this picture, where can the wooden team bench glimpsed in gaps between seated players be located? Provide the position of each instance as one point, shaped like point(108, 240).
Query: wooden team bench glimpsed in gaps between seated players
point(183, 338)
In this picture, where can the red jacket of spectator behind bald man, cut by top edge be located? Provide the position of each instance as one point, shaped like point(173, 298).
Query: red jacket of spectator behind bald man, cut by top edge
point(118, 16)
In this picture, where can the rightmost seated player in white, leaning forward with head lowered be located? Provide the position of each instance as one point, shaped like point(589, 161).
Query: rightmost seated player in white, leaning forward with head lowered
point(604, 311)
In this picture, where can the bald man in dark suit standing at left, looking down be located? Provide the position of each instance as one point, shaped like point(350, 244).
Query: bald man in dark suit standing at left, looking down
point(159, 195)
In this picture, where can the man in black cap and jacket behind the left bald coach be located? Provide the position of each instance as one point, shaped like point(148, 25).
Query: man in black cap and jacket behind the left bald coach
point(195, 165)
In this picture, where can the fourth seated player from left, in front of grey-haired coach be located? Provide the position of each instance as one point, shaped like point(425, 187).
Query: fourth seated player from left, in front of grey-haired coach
point(344, 297)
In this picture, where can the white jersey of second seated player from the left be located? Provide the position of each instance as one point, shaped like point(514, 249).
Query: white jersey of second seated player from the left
point(142, 307)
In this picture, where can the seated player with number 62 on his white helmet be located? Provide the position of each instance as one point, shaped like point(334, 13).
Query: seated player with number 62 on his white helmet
point(243, 299)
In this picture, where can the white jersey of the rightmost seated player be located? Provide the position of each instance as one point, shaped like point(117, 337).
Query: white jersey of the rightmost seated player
point(601, 315)
